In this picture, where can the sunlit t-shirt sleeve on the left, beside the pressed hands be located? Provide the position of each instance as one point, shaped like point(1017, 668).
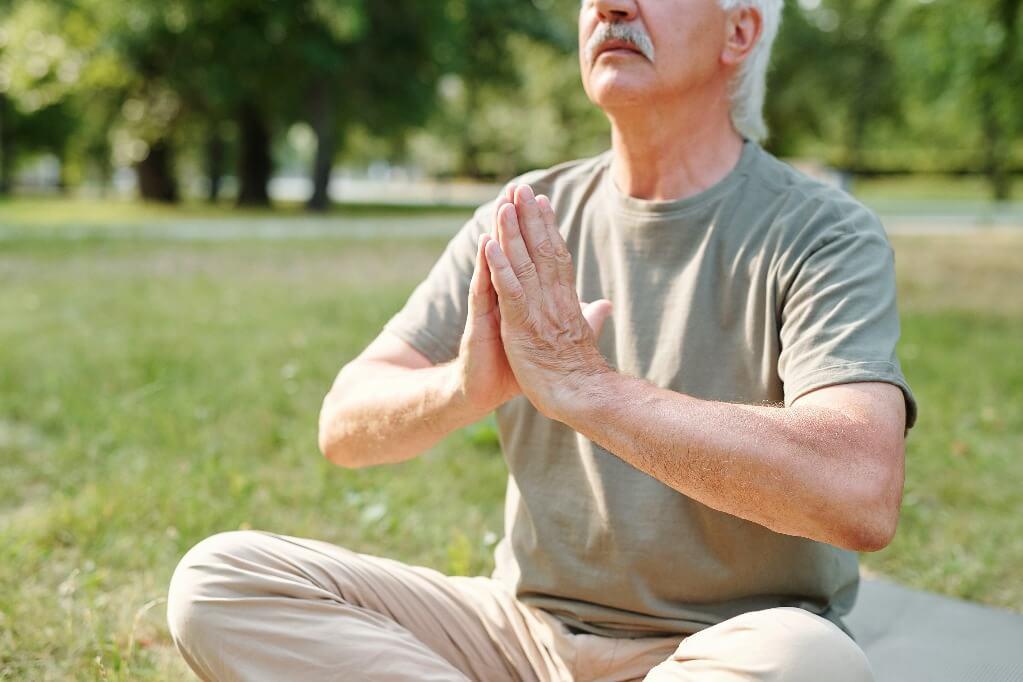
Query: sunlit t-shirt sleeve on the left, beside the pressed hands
point(433, 320)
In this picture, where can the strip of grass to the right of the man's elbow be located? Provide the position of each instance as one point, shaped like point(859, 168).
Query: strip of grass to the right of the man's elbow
point(962, 529)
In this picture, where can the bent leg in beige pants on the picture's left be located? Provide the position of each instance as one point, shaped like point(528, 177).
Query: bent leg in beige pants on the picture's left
point(261, 607)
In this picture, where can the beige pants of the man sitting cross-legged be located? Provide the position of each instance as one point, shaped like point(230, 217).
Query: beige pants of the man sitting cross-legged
point(250, 606)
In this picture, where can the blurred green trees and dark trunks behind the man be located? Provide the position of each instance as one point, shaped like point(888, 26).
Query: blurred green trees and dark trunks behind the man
point(478, 88)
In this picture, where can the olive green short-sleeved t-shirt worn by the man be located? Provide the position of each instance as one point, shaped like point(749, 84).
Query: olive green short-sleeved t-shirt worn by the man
point(766, 287)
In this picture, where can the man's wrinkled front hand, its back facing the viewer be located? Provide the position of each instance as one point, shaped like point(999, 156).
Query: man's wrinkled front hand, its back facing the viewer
point(550, 340)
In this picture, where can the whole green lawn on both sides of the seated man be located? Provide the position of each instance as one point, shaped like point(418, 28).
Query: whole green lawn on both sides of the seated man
point(154, 392)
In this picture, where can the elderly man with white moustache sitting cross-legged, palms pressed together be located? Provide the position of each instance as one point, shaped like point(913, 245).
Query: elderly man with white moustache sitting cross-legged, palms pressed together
point(691, 478)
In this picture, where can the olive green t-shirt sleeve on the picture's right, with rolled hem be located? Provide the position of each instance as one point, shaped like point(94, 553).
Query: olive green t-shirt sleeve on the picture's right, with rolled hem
point(839, 317)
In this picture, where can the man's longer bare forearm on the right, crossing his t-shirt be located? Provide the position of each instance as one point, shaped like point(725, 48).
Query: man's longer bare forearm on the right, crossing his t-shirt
point(796, 471)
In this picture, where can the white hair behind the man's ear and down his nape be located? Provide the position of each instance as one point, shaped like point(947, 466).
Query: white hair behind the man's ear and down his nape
point(750, 85)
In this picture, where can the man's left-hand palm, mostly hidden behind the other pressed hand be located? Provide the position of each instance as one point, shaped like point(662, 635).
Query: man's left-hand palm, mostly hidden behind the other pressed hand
point(485, 378)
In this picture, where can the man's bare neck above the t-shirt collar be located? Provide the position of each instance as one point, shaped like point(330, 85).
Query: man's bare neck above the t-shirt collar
point(673, 152)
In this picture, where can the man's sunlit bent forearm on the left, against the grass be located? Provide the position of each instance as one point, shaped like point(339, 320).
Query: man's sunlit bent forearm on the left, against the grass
point(378, 414)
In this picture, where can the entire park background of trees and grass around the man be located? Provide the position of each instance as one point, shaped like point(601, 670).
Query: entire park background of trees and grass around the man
point(208, 207)
